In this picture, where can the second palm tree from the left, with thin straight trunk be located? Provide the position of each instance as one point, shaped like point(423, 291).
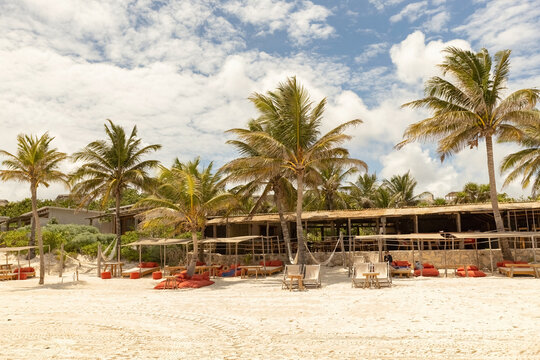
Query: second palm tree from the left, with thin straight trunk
point(110, 167)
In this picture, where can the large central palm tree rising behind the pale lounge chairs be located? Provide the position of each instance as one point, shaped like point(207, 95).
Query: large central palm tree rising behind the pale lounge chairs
point(294, 137)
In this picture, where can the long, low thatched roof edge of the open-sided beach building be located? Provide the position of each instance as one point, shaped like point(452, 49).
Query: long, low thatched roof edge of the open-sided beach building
point(375, 213)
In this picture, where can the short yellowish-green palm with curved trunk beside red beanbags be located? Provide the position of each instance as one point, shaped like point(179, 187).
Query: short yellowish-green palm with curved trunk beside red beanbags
point(186, 196)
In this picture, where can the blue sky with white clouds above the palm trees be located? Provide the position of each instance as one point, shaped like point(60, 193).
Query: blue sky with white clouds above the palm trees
point(182, 72)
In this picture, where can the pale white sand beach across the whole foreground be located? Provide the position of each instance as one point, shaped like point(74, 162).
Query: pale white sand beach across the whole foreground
point(443, 318)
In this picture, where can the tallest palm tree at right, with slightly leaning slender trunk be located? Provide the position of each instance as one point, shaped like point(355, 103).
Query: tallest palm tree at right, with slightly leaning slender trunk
point(469, 107)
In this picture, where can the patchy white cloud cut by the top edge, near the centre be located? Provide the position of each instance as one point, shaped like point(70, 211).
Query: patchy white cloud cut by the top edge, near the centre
point(303, 21)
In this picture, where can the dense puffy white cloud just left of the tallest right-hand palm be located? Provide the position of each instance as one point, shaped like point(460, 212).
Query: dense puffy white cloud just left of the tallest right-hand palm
point(416, 61)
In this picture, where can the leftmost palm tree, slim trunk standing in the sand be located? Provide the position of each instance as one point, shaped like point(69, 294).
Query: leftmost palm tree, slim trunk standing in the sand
point(37, 163)
